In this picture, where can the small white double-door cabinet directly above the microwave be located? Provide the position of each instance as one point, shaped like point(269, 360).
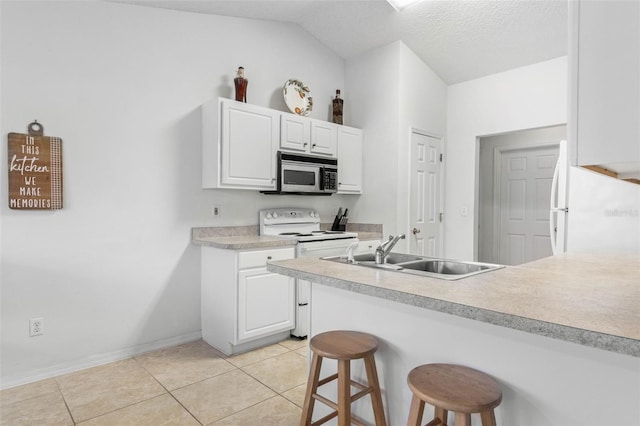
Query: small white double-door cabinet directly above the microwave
point(307, 135)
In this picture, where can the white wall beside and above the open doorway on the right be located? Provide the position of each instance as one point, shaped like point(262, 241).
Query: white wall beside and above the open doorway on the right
point(524, 98)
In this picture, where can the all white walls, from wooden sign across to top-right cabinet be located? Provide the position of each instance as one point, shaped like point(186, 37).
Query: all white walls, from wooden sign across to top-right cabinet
point(114, 271)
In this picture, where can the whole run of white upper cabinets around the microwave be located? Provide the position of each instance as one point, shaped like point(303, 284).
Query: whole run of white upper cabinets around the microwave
point(240, 142)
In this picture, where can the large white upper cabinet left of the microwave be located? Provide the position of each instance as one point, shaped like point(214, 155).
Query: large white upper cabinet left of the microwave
point(239, 145)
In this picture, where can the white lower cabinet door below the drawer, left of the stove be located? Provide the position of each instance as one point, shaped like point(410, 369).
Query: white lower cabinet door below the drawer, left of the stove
point(266, 303)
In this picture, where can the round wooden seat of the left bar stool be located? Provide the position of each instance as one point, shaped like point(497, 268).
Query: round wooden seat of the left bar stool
point(343, 344)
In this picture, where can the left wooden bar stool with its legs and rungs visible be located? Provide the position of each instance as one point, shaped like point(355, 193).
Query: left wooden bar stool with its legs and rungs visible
point(343, 346)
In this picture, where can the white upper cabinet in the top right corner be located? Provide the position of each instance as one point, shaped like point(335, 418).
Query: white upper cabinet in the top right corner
point(604, 120)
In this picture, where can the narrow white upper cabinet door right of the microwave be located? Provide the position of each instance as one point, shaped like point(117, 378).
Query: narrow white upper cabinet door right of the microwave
point(350, 142)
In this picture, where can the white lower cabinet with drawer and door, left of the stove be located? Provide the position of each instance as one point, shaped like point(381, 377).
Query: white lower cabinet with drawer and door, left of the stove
point(244, 306)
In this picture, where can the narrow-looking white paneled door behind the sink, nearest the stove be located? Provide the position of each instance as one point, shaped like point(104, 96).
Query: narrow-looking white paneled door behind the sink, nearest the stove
point(425, 195)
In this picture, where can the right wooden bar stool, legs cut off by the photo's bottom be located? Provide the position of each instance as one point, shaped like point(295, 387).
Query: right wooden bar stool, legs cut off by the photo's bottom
point(456, 388)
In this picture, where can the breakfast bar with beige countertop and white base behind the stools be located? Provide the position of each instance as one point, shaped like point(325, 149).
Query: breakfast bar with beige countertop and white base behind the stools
point(561, 334)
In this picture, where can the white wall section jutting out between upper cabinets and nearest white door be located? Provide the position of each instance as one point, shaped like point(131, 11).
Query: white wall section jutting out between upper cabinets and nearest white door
point(392, 91)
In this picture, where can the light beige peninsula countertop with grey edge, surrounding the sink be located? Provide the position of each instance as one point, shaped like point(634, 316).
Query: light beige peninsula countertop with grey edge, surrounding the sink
point(589, 299)
